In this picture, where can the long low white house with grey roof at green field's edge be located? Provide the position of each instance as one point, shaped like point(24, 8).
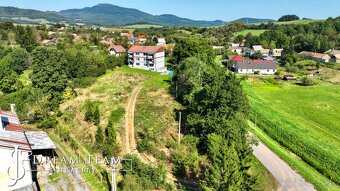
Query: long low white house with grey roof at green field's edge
point(251, 67)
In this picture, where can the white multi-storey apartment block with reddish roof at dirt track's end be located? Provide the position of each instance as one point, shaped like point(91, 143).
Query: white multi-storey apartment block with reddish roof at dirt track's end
point(147, 57)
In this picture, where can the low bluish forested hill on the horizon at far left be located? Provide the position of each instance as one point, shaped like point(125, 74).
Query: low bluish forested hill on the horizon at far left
point(15, 14)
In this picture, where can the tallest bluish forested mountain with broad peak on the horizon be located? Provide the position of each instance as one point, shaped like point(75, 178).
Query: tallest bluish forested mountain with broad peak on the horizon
point(112, 15)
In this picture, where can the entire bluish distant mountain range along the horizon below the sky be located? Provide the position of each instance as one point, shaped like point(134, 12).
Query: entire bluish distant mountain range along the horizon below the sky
point(106, 15)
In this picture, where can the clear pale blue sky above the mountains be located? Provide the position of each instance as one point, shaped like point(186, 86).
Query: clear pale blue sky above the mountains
point(226, 10)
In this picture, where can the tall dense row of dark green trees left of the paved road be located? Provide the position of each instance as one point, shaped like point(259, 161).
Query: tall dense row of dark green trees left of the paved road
point(216, 113)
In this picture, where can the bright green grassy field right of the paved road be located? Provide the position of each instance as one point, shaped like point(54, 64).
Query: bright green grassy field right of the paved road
point(305, 120)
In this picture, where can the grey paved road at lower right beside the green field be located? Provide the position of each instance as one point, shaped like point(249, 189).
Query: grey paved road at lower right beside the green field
point(288, 179)
